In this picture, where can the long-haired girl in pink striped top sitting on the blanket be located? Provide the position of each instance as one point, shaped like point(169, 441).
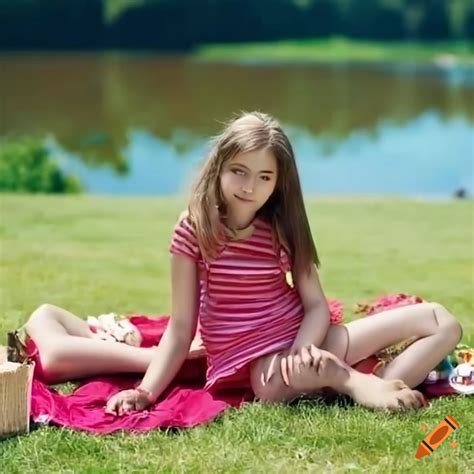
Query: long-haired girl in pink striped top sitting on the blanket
point(245, 227)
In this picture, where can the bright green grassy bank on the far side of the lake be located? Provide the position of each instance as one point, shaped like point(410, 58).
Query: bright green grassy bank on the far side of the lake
point(338, 49)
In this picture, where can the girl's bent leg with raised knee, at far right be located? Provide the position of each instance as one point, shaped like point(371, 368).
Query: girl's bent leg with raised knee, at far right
point(437, 330)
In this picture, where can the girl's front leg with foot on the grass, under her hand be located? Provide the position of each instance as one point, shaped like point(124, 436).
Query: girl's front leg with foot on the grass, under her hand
point(367, 390)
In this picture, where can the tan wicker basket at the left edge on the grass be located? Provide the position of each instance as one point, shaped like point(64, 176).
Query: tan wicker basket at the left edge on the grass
point(15, 398)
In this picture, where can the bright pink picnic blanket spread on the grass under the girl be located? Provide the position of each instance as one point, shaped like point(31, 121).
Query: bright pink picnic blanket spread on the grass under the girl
point(184, 404)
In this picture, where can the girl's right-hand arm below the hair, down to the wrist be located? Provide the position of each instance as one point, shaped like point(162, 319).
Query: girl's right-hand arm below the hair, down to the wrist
point(315, 323)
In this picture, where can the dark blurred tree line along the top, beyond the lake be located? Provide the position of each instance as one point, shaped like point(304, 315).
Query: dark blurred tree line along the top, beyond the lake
point(181, 25)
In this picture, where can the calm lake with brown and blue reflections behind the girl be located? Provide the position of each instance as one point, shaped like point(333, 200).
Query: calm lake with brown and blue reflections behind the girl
point(140, 124)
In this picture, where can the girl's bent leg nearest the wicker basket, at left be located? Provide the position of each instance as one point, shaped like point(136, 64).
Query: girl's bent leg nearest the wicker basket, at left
point(68, 349)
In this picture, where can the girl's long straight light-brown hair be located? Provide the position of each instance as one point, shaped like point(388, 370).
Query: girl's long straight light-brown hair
point(284, 210)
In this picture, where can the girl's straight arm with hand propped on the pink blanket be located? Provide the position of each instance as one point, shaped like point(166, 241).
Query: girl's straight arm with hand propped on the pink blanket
point(174, 344)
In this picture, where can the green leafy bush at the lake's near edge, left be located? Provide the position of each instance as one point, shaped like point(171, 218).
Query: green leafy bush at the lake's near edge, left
point(27, 166)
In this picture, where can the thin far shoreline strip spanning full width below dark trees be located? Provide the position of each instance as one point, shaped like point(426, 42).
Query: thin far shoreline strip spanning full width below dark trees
point(334, 51)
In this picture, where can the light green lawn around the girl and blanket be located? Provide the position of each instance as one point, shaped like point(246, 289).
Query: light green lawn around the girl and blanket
point(99, 254)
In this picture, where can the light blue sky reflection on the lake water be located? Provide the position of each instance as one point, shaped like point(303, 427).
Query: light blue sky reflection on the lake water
point(427, 156)
